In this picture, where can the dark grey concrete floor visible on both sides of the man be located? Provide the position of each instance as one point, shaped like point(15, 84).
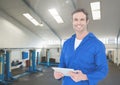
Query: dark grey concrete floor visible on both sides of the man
point(46, 78)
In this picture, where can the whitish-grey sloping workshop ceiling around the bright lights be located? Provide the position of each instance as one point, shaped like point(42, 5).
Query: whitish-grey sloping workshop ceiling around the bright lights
point(107, 27)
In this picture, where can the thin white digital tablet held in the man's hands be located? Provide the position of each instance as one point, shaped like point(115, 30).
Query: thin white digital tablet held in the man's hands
point(65, 71)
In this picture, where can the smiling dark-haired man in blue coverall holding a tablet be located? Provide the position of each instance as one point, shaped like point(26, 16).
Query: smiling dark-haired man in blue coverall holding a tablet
point(84, 53)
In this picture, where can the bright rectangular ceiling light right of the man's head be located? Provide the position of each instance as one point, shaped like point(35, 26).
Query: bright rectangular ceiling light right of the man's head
point(95, 8)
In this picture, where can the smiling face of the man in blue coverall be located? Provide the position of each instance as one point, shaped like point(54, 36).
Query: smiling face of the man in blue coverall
point(79, 22)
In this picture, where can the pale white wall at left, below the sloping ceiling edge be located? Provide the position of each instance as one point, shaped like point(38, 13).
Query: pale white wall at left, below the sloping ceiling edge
point(14, 35)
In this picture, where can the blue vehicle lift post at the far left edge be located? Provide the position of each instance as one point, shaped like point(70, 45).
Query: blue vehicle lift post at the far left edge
point(5, 73)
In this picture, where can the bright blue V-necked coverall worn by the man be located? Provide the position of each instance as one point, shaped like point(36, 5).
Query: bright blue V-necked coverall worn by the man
point(89, 57)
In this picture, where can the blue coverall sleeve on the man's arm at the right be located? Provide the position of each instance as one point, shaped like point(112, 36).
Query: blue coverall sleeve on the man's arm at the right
point(101, 66)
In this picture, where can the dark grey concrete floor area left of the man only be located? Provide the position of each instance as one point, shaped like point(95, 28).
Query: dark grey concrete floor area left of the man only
point(40, 78)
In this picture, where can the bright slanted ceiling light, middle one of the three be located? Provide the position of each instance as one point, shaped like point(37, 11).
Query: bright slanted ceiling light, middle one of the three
point(56, 15)
